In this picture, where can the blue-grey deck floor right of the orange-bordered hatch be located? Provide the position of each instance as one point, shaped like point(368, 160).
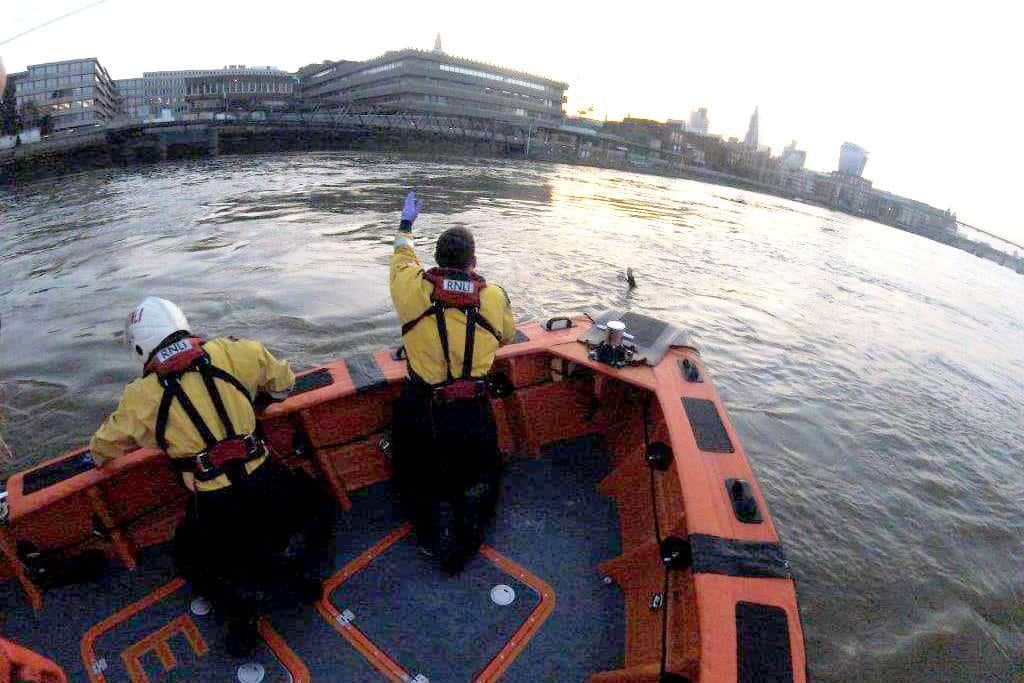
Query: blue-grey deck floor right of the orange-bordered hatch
point(553, 522)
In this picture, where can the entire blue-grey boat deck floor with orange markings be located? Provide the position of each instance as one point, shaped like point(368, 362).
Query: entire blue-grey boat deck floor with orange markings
point(388, 612)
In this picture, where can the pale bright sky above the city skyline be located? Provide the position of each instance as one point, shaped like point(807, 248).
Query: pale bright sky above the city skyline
point(932, 91)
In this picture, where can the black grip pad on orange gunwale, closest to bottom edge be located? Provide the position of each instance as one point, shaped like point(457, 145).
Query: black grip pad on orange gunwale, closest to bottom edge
point(762, 645)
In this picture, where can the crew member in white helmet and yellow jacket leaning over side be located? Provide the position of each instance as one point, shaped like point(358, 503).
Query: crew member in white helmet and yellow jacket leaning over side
point(253, 529)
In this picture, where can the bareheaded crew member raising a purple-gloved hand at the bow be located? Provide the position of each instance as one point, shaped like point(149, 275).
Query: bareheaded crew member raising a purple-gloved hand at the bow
point(447, 462)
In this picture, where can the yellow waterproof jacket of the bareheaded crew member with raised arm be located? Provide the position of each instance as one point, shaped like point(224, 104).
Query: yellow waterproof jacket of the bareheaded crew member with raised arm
point(411, 294)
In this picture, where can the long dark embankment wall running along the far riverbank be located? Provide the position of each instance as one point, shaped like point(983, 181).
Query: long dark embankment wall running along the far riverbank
point(133, 146)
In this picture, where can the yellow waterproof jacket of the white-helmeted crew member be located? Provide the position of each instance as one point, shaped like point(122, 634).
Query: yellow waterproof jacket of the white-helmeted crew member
point(134, 424)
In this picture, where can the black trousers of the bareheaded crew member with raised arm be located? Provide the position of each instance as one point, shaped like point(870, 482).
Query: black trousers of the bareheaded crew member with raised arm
point(447, 471)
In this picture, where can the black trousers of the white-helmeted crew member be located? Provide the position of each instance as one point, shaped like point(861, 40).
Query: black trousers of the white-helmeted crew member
point(245, 546)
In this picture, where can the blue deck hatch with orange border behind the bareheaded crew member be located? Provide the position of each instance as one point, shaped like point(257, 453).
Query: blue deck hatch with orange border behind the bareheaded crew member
point(404, 604)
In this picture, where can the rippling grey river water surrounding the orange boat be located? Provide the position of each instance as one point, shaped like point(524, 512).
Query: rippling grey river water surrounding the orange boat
point(877, 378)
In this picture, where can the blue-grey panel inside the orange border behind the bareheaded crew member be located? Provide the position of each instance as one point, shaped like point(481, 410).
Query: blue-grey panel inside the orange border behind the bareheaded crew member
point(446, 628)
